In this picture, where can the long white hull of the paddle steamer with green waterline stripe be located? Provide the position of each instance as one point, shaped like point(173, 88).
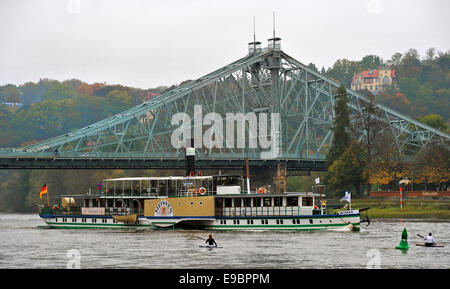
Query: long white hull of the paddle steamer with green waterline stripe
point(296, 223)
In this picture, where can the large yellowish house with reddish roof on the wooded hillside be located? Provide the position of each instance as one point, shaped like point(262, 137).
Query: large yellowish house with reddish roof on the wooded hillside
point(375, 81)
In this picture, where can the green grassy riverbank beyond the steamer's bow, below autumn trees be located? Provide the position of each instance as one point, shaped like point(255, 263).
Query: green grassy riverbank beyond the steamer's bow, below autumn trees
point(413, 208)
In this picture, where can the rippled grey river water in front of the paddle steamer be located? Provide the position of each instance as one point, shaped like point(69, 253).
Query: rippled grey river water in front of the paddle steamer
point(23, 244)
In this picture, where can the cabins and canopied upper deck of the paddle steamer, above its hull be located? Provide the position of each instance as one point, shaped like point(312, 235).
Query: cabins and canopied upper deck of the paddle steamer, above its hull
point(226, 195)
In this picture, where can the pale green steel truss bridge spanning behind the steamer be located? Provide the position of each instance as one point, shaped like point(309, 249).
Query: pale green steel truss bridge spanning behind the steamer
point(265, 80)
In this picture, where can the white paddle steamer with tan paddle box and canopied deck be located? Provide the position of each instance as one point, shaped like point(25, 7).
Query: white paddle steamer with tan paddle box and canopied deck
point(199, 202)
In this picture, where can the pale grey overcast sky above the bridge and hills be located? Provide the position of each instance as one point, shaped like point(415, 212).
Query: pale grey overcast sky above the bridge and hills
point(147, 44)
